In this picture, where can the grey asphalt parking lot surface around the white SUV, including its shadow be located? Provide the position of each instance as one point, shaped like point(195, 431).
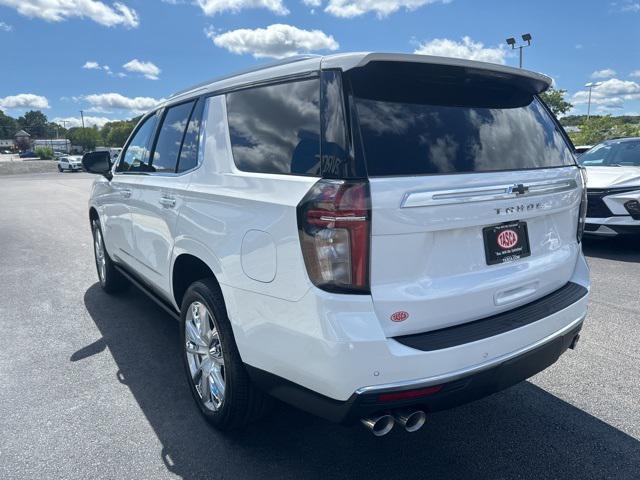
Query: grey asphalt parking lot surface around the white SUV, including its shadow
point(92, 385)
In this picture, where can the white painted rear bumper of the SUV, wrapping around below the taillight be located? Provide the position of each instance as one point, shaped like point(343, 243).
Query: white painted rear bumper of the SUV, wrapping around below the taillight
point(334, 344)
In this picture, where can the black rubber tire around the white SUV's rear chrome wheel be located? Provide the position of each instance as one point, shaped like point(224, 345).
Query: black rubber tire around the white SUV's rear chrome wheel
point(243, 402)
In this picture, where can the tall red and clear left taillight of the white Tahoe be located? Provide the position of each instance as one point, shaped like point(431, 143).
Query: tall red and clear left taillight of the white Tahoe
point(334, 220)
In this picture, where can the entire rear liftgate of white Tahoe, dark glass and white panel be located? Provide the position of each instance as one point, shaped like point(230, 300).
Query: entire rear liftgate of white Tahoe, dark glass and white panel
point(475, 196)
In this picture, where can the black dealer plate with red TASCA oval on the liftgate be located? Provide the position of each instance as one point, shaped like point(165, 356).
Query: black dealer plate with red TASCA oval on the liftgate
point(506, 242)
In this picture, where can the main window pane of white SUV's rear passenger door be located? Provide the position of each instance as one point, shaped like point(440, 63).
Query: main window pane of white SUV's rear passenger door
point(167, 149)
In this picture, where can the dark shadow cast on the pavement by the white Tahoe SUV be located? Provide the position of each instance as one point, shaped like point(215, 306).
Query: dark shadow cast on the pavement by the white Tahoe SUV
point(523, 432)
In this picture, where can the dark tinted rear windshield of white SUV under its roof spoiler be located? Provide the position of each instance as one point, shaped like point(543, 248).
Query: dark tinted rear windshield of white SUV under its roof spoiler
point(429, 120)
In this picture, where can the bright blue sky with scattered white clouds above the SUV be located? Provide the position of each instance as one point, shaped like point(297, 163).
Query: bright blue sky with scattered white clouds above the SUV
point(114, 60)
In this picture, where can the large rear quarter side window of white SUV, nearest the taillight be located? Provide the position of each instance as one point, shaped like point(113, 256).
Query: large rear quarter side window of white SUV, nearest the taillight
point(276, 128)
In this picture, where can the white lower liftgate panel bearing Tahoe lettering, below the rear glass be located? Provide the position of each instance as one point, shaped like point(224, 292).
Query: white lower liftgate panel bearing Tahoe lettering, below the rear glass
point(425, 259)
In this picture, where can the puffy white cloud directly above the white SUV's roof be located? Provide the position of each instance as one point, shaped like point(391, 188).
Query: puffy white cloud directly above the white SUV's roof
point(275, 41)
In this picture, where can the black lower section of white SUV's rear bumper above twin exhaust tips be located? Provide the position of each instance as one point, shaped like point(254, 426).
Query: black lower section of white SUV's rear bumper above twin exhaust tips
point(448, 392)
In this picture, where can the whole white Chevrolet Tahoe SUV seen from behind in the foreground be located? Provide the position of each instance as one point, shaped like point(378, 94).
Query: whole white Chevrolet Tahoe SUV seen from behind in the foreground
point(369, 237)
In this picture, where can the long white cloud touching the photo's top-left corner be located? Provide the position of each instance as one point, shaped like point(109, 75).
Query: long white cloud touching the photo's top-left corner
point(59, 10)
